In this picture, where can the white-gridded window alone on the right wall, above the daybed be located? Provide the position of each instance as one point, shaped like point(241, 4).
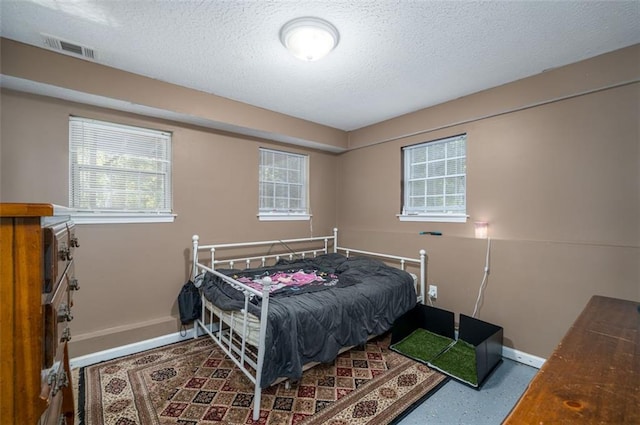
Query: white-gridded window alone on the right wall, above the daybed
point(435, 177)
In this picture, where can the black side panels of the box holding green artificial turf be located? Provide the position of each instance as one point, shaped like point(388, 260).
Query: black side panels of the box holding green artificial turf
point(484, 336)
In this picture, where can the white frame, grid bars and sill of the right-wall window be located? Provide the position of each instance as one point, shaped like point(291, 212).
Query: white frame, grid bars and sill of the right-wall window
point(442, 215)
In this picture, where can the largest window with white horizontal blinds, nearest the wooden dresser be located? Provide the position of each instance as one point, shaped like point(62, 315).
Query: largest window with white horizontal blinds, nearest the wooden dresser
point(118, 173)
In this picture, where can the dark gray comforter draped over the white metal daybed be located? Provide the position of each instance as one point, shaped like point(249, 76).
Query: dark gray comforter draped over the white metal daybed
point(313, 325)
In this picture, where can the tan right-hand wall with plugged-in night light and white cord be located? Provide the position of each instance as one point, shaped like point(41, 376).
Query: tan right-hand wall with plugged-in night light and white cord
point(558, 182)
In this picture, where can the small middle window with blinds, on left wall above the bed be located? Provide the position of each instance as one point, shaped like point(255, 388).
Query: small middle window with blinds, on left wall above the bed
point(283, 186)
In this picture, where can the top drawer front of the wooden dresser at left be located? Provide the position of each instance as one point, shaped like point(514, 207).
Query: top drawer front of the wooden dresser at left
point(59, 244)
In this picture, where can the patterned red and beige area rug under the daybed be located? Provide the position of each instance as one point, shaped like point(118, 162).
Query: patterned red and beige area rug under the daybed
point(193, 383)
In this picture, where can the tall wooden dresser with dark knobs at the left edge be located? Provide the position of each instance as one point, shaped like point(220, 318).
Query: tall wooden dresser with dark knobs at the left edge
point(36, 286)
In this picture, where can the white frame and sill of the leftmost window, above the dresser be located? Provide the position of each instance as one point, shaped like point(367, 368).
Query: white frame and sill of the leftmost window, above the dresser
point(82, 215)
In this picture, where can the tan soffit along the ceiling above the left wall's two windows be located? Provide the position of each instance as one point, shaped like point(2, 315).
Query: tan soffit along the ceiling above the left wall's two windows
point(65, 72)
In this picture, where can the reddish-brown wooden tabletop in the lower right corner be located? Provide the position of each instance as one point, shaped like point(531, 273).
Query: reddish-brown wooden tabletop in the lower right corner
point(593, 376)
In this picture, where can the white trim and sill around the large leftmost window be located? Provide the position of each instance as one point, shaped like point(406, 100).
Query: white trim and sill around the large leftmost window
point(105, 216)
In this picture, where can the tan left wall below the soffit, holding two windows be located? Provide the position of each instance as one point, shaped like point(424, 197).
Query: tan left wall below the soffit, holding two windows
point(130, 274)
